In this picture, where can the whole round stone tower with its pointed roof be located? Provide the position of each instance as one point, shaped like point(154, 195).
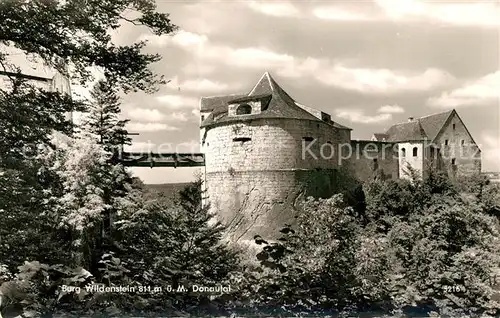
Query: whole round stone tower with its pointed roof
point(263, 152)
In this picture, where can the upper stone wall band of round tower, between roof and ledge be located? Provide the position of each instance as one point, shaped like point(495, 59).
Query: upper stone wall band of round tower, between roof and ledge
point(270, 144)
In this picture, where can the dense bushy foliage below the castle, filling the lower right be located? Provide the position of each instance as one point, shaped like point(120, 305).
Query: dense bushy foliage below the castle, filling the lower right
point(424, 247)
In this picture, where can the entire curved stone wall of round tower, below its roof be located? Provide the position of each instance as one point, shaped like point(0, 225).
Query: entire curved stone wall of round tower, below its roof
point(257, 171)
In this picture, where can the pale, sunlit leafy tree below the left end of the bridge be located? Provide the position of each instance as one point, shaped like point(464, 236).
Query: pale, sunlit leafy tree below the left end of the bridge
point(84, 172)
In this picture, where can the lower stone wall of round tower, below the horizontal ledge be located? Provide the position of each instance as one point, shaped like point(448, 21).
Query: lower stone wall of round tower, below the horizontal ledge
point(253, 203)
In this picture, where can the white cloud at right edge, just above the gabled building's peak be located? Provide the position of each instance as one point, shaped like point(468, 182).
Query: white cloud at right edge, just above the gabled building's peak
point(482, 91)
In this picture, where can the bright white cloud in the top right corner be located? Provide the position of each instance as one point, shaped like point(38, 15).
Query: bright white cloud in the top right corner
point(480, 13)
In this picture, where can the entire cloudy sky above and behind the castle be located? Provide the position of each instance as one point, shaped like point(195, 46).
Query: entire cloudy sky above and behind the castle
point(368, 63)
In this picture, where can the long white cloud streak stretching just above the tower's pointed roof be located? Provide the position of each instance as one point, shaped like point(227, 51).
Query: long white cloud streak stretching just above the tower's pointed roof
point(325, 71)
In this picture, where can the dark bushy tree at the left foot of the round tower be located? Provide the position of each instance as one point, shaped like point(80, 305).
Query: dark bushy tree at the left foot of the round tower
point(175, 246)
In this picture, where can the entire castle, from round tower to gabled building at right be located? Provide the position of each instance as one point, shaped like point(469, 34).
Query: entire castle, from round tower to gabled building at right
point(264, 151)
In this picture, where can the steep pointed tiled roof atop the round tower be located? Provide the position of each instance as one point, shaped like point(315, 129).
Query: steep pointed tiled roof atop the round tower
point(281, 105)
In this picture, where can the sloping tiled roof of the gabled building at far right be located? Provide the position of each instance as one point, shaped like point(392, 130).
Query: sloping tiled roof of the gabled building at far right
point(426, 127)
